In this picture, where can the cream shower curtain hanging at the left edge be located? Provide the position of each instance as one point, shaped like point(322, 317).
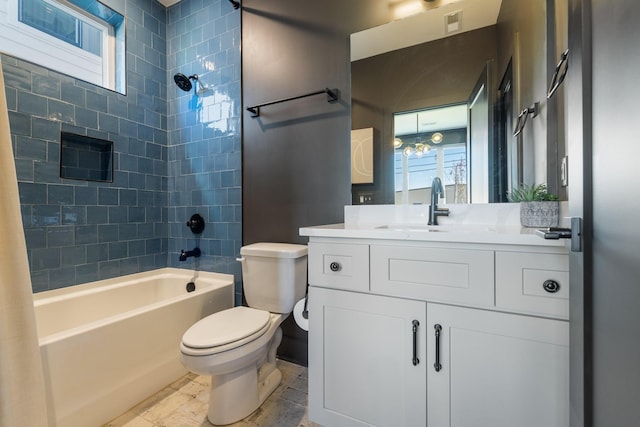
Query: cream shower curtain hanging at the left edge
point(22, 393)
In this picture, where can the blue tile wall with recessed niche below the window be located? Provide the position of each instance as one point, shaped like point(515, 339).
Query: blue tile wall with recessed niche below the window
point(73, 227)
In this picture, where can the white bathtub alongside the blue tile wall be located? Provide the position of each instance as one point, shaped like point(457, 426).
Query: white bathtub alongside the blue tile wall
point(110, 344)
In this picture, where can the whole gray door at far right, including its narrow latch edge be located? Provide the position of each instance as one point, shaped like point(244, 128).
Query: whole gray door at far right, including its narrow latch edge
point(603, 94)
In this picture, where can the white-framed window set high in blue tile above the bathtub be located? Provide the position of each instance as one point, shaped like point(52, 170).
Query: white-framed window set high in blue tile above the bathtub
point(81, 38)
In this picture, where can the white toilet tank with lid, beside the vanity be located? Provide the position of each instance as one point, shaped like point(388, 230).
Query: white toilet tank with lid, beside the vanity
point(274, 275)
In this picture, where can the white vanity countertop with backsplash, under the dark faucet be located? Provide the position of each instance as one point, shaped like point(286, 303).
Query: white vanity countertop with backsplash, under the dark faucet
point(484, 224)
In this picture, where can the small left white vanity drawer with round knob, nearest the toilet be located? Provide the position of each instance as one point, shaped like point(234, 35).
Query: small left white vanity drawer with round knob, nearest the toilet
point(339, 266)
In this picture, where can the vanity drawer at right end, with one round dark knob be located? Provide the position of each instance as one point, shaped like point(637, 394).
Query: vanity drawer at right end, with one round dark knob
point(533, 283)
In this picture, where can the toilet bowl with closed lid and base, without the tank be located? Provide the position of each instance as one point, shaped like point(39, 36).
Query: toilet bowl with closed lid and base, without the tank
point(243, 371)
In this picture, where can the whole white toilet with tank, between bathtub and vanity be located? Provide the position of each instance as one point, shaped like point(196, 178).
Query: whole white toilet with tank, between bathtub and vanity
point(237, 347)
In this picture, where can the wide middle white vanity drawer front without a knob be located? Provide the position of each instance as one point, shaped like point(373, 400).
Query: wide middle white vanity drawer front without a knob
point(434, 274)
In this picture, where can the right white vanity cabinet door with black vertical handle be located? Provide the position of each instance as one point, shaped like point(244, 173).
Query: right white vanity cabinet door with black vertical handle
point(497, 369)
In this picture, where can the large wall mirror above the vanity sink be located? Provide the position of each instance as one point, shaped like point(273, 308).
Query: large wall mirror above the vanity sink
point(456, 53)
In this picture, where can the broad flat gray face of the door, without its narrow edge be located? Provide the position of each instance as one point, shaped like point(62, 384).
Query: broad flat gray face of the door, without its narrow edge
point(615, 241)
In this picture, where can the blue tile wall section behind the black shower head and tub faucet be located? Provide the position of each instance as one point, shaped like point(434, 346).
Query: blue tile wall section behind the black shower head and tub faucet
point(204, 164)
